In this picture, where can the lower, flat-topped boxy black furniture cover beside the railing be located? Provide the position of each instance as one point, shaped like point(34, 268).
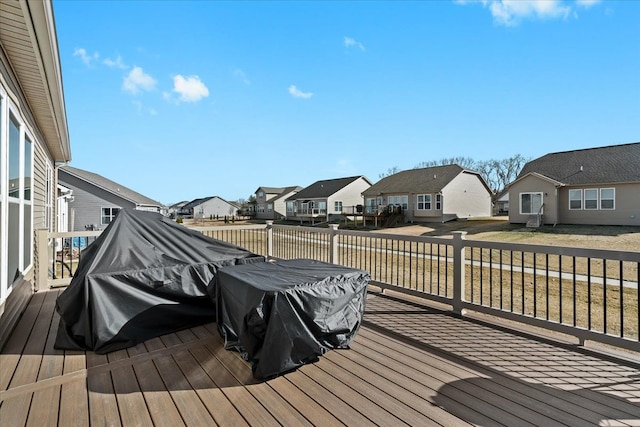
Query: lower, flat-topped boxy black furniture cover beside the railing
point(284, 314)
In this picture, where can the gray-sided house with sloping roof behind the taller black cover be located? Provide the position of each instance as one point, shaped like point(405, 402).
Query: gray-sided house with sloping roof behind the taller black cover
point(97, 200)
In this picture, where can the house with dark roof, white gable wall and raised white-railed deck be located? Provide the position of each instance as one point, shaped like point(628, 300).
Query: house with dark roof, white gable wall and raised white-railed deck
point(327, 200)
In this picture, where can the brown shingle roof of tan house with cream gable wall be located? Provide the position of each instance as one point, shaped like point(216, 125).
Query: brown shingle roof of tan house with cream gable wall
point(423, 180)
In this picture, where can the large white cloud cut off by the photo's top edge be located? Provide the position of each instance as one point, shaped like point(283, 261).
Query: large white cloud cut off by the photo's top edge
point(512, 12)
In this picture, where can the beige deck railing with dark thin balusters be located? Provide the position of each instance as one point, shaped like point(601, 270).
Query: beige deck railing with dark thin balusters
point(586, 293)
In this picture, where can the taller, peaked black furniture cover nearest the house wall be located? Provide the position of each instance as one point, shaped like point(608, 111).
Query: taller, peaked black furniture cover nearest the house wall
point(143, 277)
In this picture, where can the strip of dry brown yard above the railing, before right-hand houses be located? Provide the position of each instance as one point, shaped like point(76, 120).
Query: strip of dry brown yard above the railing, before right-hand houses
point(623, 238)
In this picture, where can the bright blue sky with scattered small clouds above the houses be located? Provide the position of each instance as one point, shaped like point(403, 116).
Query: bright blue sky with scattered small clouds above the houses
point(186, 99)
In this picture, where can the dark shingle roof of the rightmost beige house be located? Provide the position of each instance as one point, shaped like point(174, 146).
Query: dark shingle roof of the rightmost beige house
point(614, 163)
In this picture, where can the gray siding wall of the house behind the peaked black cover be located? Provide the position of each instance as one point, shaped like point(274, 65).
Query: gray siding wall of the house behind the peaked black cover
point(88, 201)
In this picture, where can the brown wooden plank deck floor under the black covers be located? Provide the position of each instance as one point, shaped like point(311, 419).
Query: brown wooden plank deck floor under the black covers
point(409, 365)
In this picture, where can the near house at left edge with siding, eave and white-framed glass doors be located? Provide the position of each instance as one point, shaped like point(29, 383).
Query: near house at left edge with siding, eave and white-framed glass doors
point(34, 139)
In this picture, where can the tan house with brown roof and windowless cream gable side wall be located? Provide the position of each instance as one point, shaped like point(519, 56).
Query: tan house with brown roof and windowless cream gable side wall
point(434, 194)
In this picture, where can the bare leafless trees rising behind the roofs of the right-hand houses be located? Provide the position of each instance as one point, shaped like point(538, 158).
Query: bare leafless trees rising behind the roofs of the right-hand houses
point(497, 173)
